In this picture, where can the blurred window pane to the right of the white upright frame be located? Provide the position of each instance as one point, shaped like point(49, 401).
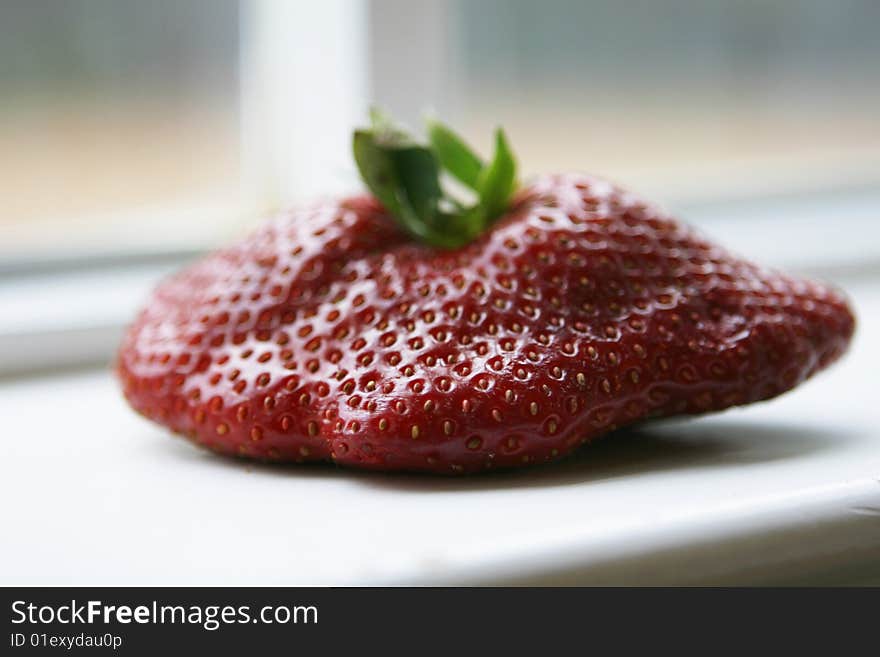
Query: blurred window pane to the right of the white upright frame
point(681, 98)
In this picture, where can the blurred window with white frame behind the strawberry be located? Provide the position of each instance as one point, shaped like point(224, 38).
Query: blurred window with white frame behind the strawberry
point(135, 135)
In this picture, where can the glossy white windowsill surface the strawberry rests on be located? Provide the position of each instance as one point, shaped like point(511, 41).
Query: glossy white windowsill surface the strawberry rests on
point(782, 491)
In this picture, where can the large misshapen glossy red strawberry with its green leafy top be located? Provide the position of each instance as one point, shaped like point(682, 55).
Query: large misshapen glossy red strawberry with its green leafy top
point(409, 330)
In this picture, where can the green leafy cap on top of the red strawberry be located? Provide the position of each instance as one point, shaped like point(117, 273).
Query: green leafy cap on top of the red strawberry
point(406, 176)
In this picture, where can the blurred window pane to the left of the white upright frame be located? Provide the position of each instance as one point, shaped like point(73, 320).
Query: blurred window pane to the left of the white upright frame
point(115, 115)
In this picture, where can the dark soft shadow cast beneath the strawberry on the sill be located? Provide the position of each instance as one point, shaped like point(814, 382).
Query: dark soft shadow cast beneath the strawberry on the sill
point(631, 452)
